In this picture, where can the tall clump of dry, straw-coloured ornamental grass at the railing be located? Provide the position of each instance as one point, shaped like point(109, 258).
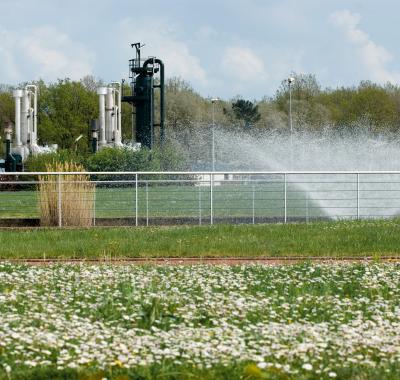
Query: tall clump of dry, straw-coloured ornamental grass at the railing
point(66, 200)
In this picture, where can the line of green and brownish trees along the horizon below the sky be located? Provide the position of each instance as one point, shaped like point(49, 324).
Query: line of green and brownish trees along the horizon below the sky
point(66, 107)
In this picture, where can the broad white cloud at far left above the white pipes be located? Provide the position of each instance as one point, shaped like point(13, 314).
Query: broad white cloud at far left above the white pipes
point(42, 52)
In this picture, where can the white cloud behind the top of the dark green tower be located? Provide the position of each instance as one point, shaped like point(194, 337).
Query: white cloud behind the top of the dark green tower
point(161, 38)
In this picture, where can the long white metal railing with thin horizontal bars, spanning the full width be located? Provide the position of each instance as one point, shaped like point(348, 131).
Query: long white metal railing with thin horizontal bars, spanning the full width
point(159, 198)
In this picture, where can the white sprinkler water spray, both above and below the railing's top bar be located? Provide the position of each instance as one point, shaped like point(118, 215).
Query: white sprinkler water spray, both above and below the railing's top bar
point(336, 195)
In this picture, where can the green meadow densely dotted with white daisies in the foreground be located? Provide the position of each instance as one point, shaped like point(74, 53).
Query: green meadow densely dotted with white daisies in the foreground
point(303, 321)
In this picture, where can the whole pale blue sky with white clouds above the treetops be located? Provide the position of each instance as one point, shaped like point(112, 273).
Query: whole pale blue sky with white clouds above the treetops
point(223, 48)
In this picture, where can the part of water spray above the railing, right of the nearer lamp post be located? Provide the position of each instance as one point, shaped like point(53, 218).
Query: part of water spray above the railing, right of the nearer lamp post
point(307, 152)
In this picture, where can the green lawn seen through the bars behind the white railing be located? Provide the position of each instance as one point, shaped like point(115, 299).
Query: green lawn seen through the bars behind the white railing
point(177, 201)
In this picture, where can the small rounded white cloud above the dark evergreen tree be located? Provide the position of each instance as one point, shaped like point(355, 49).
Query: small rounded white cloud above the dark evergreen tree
point(243, 64)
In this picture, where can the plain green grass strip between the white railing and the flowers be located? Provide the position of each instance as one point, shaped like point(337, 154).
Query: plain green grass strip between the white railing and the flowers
point(364, 238)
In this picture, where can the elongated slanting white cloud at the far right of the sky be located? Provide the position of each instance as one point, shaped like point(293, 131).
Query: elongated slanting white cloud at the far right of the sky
point(373, 57)
